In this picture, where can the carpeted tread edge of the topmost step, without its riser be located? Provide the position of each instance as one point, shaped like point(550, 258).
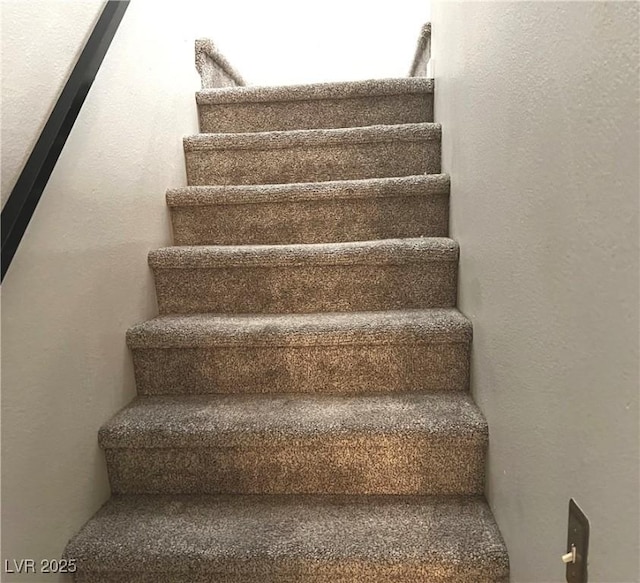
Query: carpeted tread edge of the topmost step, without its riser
point(312, 91)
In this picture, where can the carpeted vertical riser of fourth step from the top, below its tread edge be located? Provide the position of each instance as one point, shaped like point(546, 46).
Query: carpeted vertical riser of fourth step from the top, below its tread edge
point(289, 289)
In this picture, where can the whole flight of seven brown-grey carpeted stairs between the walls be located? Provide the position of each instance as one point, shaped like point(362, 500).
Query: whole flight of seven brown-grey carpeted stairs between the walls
point(303, 412)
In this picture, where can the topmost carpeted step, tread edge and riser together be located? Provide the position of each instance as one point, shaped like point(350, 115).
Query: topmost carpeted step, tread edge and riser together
point(316, 106)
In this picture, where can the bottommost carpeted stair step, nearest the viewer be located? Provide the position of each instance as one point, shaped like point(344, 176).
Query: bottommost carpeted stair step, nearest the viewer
point(290, 539)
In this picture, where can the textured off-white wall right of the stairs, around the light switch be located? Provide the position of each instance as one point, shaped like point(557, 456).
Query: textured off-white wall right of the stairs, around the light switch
point(539, 106)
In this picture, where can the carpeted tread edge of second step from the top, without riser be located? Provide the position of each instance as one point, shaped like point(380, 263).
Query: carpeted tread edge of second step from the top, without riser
point(313, 137)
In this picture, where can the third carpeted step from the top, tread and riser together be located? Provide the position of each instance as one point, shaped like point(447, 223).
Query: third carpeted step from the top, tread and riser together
point(316, 212)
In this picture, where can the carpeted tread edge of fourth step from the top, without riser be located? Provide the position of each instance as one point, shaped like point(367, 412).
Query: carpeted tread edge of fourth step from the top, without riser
point(379, 252)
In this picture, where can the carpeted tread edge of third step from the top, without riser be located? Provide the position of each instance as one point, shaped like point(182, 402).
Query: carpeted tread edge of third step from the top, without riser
point(421, 185)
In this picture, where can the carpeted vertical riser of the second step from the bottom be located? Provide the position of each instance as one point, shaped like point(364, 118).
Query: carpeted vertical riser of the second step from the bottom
point(369, 464)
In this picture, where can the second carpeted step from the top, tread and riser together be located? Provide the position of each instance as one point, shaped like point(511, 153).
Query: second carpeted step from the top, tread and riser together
point(315, 155)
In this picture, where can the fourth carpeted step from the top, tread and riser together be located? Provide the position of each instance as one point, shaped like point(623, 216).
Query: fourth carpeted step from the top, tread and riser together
point(321, 277)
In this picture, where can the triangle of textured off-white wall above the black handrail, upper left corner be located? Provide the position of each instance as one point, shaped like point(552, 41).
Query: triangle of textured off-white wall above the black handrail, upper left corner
point(40, 44)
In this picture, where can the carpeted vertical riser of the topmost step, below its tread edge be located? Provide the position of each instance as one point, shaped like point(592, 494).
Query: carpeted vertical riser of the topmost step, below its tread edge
point(318, 113)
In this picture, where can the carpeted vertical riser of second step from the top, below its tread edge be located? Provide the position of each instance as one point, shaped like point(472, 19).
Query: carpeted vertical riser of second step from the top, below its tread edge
point(315, 163)
